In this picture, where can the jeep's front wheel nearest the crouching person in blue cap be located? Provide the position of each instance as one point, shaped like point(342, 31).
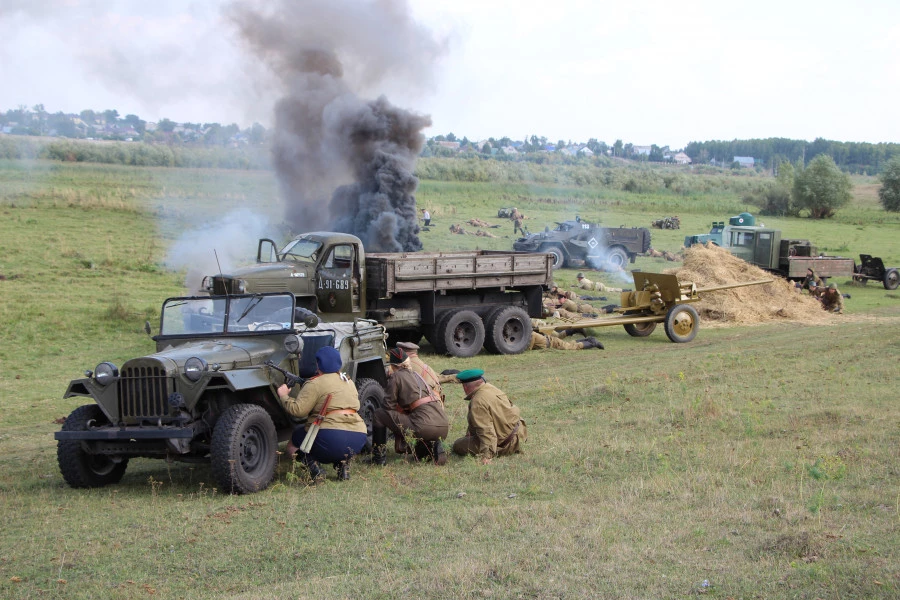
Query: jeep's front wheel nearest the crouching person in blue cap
point(243, 449)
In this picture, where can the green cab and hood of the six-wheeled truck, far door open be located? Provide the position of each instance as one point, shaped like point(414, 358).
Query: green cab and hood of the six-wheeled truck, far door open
point(324, 270)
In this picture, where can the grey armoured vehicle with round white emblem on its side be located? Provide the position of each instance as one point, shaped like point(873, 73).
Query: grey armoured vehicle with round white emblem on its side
point(581, 242)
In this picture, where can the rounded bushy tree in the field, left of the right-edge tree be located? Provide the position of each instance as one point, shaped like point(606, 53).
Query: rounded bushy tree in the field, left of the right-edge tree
point(821, 188)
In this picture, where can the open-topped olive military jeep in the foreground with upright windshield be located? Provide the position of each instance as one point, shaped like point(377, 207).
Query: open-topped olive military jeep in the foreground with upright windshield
point(208, 394)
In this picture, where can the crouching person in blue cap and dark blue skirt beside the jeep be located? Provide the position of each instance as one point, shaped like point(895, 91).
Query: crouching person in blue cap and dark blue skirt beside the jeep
point(342, 433)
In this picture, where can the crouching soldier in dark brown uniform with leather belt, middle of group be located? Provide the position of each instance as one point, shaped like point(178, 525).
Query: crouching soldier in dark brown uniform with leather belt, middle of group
point(410, 406)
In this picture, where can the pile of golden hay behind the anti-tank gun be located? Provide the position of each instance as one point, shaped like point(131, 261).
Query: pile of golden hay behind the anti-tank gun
point(709, 266)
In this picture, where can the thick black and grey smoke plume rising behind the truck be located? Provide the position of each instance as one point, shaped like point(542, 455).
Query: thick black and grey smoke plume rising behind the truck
point(342, 162)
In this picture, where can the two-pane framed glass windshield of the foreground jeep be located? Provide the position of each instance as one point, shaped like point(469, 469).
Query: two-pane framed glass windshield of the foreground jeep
point(227, 314)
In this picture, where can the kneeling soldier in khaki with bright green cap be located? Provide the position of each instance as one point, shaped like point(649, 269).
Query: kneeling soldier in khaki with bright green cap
point(496, 427)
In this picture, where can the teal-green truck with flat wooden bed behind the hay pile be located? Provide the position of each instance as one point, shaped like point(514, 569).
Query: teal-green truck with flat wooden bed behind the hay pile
point(764, 247)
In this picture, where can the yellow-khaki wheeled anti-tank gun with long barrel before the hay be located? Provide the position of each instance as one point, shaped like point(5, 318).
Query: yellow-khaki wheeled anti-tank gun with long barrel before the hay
point(658, 298)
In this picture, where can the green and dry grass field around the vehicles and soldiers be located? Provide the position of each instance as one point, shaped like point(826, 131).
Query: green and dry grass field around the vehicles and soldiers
point(762, 460)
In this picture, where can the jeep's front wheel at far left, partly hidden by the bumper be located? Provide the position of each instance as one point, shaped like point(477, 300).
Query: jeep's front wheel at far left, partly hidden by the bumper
point(81, 469)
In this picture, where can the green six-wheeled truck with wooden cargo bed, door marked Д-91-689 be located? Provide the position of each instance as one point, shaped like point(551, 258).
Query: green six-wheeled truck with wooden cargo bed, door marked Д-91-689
point(460, 301)
